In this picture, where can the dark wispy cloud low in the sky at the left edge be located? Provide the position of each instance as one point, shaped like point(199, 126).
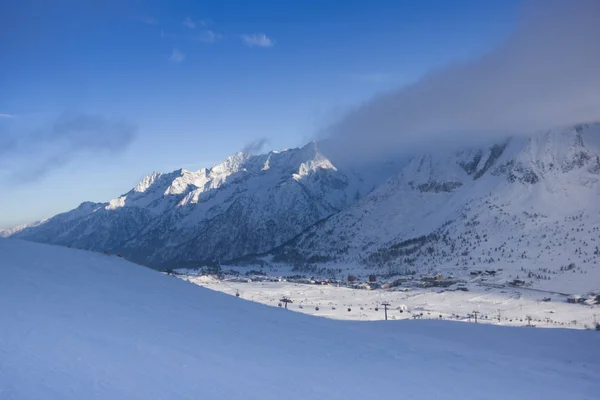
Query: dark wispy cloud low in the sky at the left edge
point(31, 156)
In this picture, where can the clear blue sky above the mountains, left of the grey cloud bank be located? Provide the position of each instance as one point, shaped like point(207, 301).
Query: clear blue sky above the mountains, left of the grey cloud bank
point(186, 83)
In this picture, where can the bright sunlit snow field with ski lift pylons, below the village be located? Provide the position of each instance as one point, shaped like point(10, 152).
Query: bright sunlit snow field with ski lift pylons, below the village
point(506, 306)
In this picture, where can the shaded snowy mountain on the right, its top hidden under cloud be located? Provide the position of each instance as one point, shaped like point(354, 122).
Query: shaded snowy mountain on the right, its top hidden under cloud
point(530, 205)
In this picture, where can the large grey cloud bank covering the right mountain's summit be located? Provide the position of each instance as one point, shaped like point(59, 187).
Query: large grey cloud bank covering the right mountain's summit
point(544, 75)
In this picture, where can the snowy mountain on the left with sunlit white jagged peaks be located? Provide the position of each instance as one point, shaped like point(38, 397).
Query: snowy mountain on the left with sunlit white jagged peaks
point(245, 205)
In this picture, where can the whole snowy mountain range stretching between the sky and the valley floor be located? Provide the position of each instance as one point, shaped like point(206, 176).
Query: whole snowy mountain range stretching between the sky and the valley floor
point(529, 204)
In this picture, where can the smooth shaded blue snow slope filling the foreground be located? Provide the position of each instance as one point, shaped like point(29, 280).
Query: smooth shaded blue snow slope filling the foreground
point(82, 325)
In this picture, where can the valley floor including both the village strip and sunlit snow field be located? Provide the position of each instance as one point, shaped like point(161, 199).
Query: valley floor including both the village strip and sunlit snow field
point(479, 296)
